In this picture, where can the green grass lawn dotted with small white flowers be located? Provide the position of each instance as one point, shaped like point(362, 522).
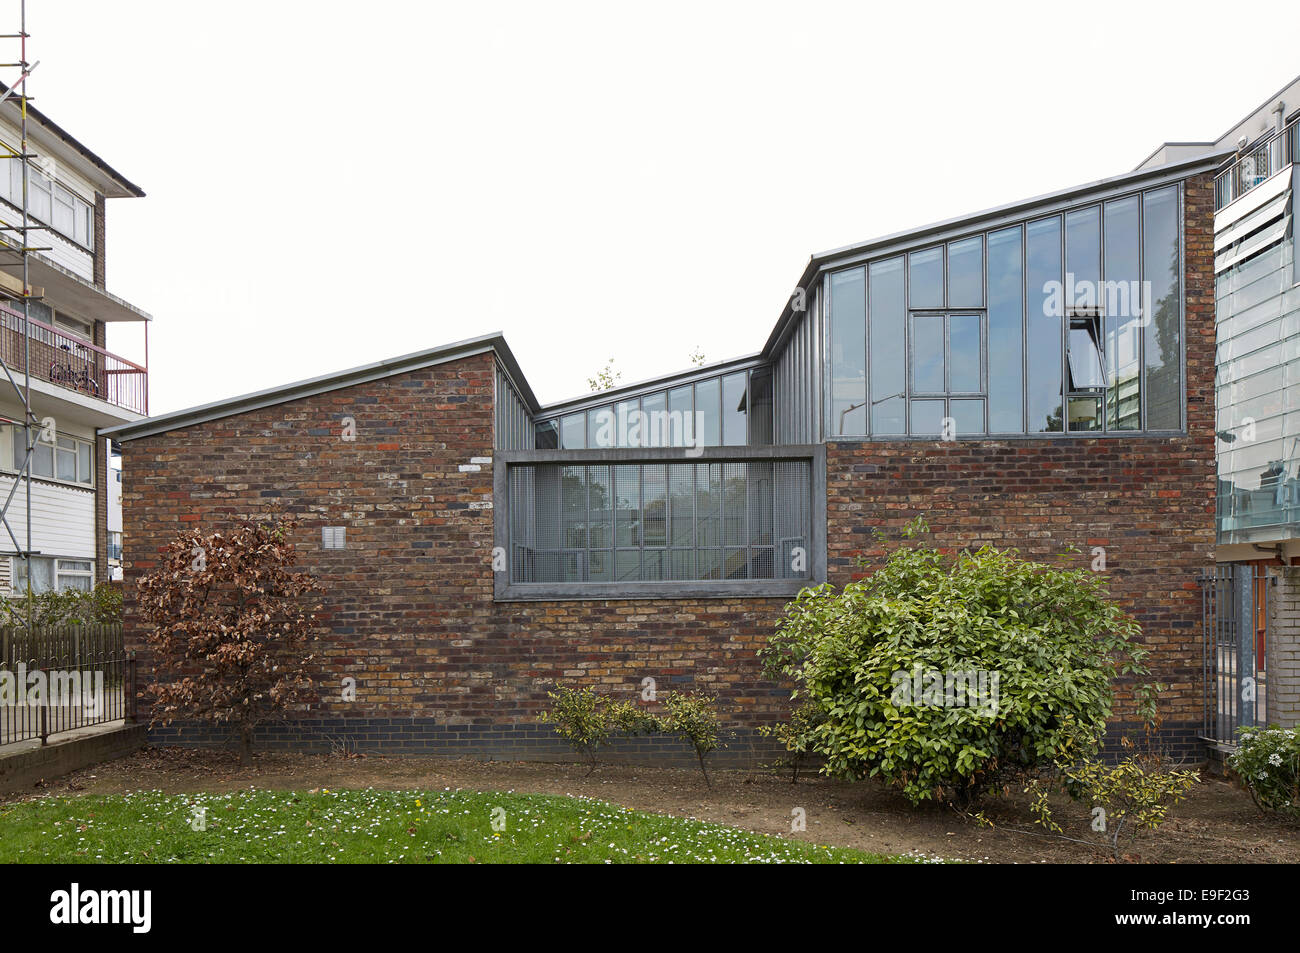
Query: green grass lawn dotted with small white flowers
point(379, 828)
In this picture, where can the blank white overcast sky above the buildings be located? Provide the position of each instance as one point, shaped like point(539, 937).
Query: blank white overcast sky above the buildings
point(332, 184)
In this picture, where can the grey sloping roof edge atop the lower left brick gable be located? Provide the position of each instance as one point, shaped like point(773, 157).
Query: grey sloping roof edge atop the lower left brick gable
point(311, 387)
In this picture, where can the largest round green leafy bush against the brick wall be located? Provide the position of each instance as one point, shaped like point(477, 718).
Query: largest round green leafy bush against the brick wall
point(947, 674)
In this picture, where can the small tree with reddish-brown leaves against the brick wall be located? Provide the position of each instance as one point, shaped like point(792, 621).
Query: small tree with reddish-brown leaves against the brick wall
point(231, 629)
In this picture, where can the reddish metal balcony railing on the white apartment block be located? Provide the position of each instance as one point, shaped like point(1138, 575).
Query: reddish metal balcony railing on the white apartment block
point(73, 363)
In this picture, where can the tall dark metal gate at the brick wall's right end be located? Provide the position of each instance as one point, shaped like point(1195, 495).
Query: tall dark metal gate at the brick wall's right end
point(1234, 635)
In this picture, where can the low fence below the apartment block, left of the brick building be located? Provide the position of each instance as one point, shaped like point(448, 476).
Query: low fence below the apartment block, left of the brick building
point(63, 678)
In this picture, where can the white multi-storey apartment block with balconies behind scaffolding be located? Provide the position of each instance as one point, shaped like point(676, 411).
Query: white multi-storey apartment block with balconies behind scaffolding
point(77, 385)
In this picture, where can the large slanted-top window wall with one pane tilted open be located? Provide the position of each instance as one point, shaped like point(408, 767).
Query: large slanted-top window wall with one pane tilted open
point(1068, 323)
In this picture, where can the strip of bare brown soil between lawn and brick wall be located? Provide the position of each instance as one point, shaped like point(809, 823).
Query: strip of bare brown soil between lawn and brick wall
point(1217, 824)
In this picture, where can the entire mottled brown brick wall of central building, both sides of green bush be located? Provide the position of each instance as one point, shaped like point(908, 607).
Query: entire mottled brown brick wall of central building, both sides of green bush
point(443, 669)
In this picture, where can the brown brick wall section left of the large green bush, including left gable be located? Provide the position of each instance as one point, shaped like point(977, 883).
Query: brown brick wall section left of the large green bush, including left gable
point(410, 612)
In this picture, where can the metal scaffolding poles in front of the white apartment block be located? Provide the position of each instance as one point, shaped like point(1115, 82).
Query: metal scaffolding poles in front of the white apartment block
point(15, 250)
